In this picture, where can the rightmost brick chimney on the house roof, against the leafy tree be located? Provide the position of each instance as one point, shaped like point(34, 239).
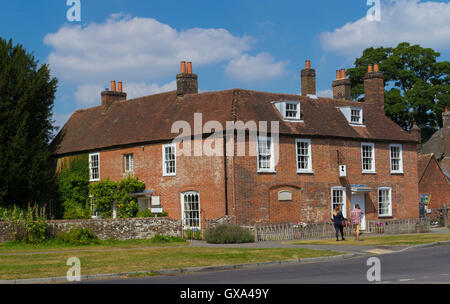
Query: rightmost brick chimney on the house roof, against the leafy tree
point(374, 86)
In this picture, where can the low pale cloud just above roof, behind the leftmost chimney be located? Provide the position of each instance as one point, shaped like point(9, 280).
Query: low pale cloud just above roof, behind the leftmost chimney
point(89, 95)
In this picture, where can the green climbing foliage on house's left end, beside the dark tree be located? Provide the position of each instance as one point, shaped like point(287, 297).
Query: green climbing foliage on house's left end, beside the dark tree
point(72, 187)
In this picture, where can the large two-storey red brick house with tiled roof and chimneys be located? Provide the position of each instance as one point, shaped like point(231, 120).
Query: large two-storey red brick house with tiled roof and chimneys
point(327, 151)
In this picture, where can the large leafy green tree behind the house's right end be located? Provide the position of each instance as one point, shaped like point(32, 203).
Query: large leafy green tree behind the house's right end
point(417, 86)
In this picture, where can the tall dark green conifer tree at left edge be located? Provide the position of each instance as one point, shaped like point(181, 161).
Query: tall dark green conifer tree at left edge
point(27, 93)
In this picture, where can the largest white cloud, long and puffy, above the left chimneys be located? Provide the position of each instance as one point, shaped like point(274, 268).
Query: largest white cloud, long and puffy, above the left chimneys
point(136, 48)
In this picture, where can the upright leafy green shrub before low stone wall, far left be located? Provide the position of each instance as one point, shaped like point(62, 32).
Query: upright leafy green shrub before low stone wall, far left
point(36, 228)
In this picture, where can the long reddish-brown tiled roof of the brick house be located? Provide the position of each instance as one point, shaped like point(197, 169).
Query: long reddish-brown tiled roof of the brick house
point(149, 119)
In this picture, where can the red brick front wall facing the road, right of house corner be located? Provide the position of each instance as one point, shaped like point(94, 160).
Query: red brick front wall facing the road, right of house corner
point(254, 199)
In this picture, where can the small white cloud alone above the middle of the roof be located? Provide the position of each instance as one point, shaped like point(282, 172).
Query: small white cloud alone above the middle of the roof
point(253, 68)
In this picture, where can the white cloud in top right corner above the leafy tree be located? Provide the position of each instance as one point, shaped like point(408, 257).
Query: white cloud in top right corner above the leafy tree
point(424, 23)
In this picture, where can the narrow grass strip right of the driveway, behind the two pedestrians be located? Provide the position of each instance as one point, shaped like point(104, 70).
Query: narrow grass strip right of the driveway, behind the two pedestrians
point(390, 240)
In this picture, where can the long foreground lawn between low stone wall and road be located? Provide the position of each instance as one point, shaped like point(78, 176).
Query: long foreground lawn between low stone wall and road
point(96, 261)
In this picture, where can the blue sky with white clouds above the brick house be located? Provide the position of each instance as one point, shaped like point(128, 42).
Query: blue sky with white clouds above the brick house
point(250, 44)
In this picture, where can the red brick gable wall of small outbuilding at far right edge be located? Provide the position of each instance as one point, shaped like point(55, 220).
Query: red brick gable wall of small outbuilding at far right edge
point(434, 183)
